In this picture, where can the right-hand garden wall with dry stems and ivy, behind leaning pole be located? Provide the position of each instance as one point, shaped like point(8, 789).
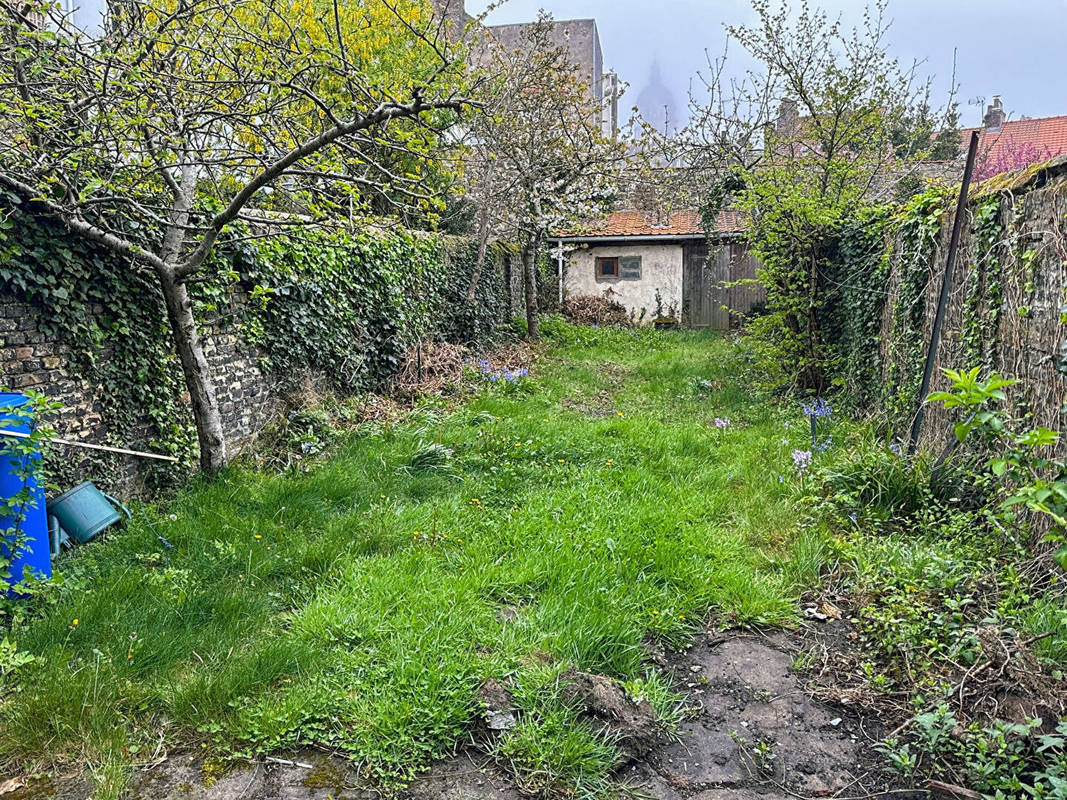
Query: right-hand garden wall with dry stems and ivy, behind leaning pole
point(1007, 306)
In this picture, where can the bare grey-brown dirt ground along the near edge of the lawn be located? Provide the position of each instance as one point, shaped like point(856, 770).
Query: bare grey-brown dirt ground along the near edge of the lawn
point(754, 732)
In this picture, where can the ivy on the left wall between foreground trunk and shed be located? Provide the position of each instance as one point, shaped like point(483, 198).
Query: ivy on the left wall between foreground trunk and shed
point(349, 306)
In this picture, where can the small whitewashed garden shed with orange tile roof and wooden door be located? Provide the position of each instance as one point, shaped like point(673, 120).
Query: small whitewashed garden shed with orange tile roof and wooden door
point(664, 269)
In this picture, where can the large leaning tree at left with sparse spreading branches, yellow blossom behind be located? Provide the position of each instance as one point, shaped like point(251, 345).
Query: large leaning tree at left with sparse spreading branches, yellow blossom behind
point(172, 123)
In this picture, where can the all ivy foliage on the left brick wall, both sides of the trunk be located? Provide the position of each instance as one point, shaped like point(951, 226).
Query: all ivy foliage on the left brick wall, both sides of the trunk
point(347, 306)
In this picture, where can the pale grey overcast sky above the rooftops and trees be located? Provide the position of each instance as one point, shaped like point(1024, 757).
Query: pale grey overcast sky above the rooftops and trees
point(1014, 49)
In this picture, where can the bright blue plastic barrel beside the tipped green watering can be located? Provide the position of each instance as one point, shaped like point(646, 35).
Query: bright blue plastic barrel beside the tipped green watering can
point(33, 555)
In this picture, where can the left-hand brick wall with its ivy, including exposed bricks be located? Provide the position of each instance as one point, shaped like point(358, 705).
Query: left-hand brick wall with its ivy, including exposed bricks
point(89, 329)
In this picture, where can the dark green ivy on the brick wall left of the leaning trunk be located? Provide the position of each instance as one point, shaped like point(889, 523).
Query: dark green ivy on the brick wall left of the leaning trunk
point(112, 317)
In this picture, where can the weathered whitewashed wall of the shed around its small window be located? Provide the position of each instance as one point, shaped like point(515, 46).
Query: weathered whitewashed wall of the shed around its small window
point(661, 271)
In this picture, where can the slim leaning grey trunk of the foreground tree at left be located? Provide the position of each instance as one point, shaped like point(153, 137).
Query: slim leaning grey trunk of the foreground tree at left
point(180, 310)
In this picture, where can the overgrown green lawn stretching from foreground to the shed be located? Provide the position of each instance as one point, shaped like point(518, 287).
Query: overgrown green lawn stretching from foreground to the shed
point(359, 605)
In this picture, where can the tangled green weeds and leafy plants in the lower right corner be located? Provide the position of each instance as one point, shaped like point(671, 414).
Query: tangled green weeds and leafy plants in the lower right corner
point(958, 602)
